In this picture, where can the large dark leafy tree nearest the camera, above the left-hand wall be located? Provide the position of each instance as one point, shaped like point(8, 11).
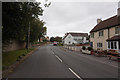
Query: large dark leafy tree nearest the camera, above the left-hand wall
point(16, 19)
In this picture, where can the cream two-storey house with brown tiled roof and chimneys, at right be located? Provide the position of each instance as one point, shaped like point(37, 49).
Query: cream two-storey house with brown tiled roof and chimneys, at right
point(106, 34)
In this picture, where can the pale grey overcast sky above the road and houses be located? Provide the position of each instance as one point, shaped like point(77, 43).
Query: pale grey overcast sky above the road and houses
point(62, 17)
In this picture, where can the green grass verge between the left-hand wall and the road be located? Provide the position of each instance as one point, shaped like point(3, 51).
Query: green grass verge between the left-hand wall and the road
point(9, 58)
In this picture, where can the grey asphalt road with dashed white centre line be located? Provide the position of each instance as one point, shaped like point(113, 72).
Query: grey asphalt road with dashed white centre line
point(56, 62)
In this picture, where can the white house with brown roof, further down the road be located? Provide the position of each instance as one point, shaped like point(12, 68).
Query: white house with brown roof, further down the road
point(75, 38)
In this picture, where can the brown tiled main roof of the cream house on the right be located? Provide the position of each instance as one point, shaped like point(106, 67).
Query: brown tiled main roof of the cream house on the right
point(111, 22)
